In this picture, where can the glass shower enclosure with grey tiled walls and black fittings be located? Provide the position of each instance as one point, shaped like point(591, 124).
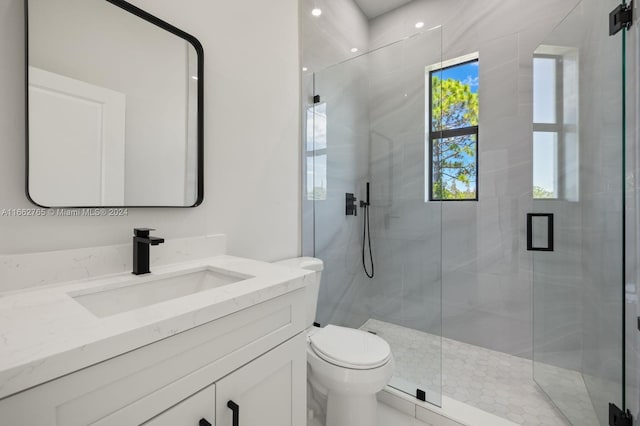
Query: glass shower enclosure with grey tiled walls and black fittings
point(527, 263)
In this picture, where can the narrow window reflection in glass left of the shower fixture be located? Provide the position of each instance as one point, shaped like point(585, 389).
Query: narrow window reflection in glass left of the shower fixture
point(316, 152)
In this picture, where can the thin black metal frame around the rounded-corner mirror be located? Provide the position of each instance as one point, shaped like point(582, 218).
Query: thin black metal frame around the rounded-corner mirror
point(128, 7)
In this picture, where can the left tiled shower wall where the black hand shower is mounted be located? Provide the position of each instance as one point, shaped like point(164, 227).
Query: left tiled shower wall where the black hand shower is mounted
point(341, 27)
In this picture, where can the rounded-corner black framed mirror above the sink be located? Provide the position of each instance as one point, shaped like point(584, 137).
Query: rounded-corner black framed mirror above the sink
point(114, 106)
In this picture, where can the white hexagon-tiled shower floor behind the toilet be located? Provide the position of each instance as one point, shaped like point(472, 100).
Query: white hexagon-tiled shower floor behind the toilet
point(492, 381)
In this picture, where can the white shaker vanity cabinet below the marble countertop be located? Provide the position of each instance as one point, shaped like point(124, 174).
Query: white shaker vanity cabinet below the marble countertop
point(255, 357)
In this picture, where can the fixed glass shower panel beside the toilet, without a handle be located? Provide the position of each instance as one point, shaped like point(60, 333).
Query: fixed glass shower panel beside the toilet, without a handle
point(369, 132)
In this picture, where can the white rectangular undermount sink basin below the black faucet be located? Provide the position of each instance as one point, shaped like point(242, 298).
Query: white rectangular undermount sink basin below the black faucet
point(144, 291)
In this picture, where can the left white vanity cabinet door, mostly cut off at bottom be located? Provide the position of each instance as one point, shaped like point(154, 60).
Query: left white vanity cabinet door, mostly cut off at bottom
point(197, 410)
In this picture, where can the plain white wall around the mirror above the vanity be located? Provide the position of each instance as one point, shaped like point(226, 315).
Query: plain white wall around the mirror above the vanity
point(251, 135)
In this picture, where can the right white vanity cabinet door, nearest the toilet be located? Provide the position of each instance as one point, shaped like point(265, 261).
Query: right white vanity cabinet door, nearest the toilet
point(269, 391)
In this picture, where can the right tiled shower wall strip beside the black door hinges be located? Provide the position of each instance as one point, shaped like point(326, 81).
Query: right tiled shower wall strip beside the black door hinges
point(601, 180)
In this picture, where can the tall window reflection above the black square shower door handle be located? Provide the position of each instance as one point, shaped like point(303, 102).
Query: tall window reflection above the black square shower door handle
point(555, 119)
